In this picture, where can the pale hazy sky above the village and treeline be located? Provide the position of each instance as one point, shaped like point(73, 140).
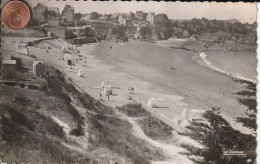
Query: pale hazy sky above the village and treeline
point(244, 12)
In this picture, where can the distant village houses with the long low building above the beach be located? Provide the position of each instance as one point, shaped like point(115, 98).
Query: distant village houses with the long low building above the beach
point(77, 28)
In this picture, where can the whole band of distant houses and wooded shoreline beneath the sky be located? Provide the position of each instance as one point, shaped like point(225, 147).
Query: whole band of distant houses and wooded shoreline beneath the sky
point(78, 28)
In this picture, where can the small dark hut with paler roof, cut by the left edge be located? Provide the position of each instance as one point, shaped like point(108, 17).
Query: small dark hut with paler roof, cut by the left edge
point(8, 69)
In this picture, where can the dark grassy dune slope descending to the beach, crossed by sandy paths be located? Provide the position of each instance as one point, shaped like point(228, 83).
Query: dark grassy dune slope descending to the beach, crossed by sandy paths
point(29, 134)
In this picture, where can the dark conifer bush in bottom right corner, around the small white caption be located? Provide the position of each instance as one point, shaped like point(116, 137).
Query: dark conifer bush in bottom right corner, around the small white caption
point(220, 136)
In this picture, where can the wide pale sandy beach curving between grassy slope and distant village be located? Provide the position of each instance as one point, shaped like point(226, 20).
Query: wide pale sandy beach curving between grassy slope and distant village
point(178, 77)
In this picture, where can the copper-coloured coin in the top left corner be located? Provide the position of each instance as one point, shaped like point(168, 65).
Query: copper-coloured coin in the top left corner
point(15, 15)
